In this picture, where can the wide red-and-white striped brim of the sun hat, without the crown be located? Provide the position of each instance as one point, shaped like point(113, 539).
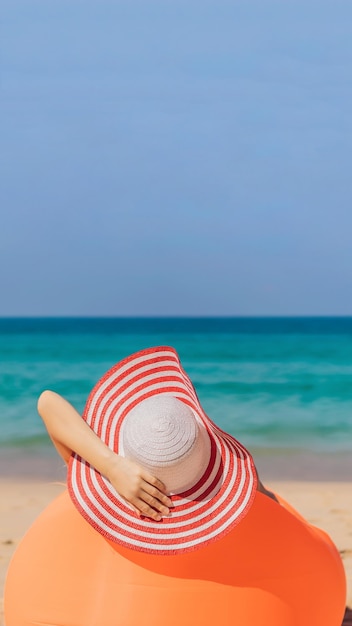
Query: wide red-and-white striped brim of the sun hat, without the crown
point(210, 509)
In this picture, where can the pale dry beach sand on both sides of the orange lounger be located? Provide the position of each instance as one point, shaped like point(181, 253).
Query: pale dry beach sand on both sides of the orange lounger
point(325, 504)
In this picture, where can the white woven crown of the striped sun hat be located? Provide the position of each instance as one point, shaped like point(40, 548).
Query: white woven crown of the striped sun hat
point(163, 435)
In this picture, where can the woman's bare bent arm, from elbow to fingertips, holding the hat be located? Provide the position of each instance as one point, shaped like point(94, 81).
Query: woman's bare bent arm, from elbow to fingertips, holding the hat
point(70, 433)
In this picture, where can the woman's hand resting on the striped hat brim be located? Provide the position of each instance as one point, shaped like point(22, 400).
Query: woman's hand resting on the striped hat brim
point(143, 491)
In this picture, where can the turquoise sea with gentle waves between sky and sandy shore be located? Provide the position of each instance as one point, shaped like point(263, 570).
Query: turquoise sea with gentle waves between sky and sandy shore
point(274, 383)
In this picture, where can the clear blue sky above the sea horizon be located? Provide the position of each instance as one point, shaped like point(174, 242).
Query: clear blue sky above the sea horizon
point(176, 157)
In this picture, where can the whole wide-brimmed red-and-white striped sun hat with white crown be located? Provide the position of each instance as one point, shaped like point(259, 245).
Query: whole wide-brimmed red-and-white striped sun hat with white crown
point(146, 408)
